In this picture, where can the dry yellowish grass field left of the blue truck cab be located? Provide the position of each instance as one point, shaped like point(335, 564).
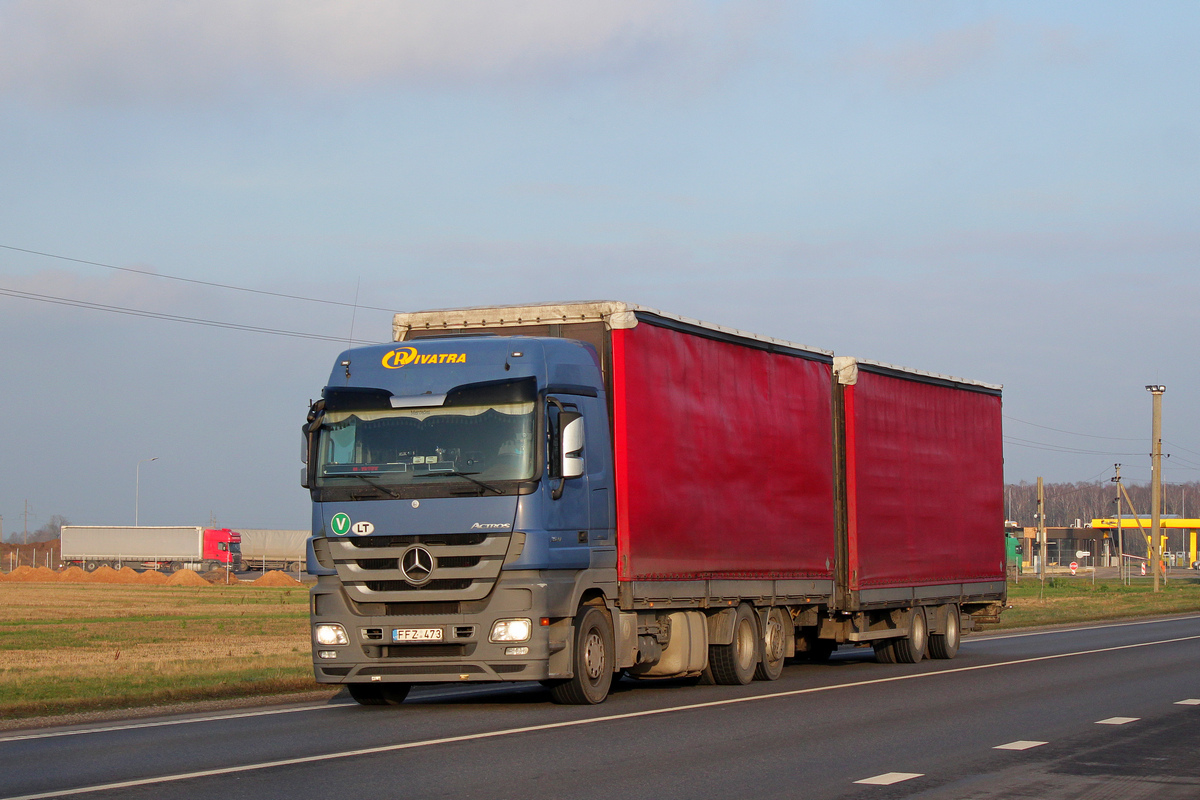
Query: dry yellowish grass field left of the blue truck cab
point(74, 647)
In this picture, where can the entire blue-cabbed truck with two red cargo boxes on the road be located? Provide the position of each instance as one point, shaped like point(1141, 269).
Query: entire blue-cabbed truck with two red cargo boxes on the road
point(571, 494)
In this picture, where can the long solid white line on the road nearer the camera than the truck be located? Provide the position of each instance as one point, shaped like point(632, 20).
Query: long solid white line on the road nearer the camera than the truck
point(573, 724)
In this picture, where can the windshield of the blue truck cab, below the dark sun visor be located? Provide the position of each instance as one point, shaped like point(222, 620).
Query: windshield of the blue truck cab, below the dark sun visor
point(479, 431)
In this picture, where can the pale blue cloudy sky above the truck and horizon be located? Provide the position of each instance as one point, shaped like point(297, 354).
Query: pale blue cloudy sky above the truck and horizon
point(205, 201)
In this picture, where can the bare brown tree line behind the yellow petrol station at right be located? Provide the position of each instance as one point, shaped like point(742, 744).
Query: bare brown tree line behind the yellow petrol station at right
point(1066, 503)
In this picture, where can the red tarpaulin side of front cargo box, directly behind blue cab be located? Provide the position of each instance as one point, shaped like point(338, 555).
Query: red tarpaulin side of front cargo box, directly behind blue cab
point(723, 459)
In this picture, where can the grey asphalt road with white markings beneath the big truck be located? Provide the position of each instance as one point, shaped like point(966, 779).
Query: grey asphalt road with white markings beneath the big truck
point(1100, 712)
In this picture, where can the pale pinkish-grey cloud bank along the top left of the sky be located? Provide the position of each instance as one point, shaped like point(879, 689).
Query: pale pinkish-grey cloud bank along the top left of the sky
point(137, 50)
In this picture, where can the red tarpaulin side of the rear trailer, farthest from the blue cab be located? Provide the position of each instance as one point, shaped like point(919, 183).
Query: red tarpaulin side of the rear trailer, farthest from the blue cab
point(925, 477)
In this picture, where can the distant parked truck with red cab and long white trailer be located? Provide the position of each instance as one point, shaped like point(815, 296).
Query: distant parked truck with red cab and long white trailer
point(164, 549)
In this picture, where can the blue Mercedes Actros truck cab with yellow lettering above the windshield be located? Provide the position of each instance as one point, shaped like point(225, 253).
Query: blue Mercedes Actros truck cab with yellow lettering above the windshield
point(463, 516)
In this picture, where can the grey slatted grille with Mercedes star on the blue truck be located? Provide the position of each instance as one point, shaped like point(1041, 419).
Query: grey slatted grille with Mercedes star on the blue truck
point(465, 567)
